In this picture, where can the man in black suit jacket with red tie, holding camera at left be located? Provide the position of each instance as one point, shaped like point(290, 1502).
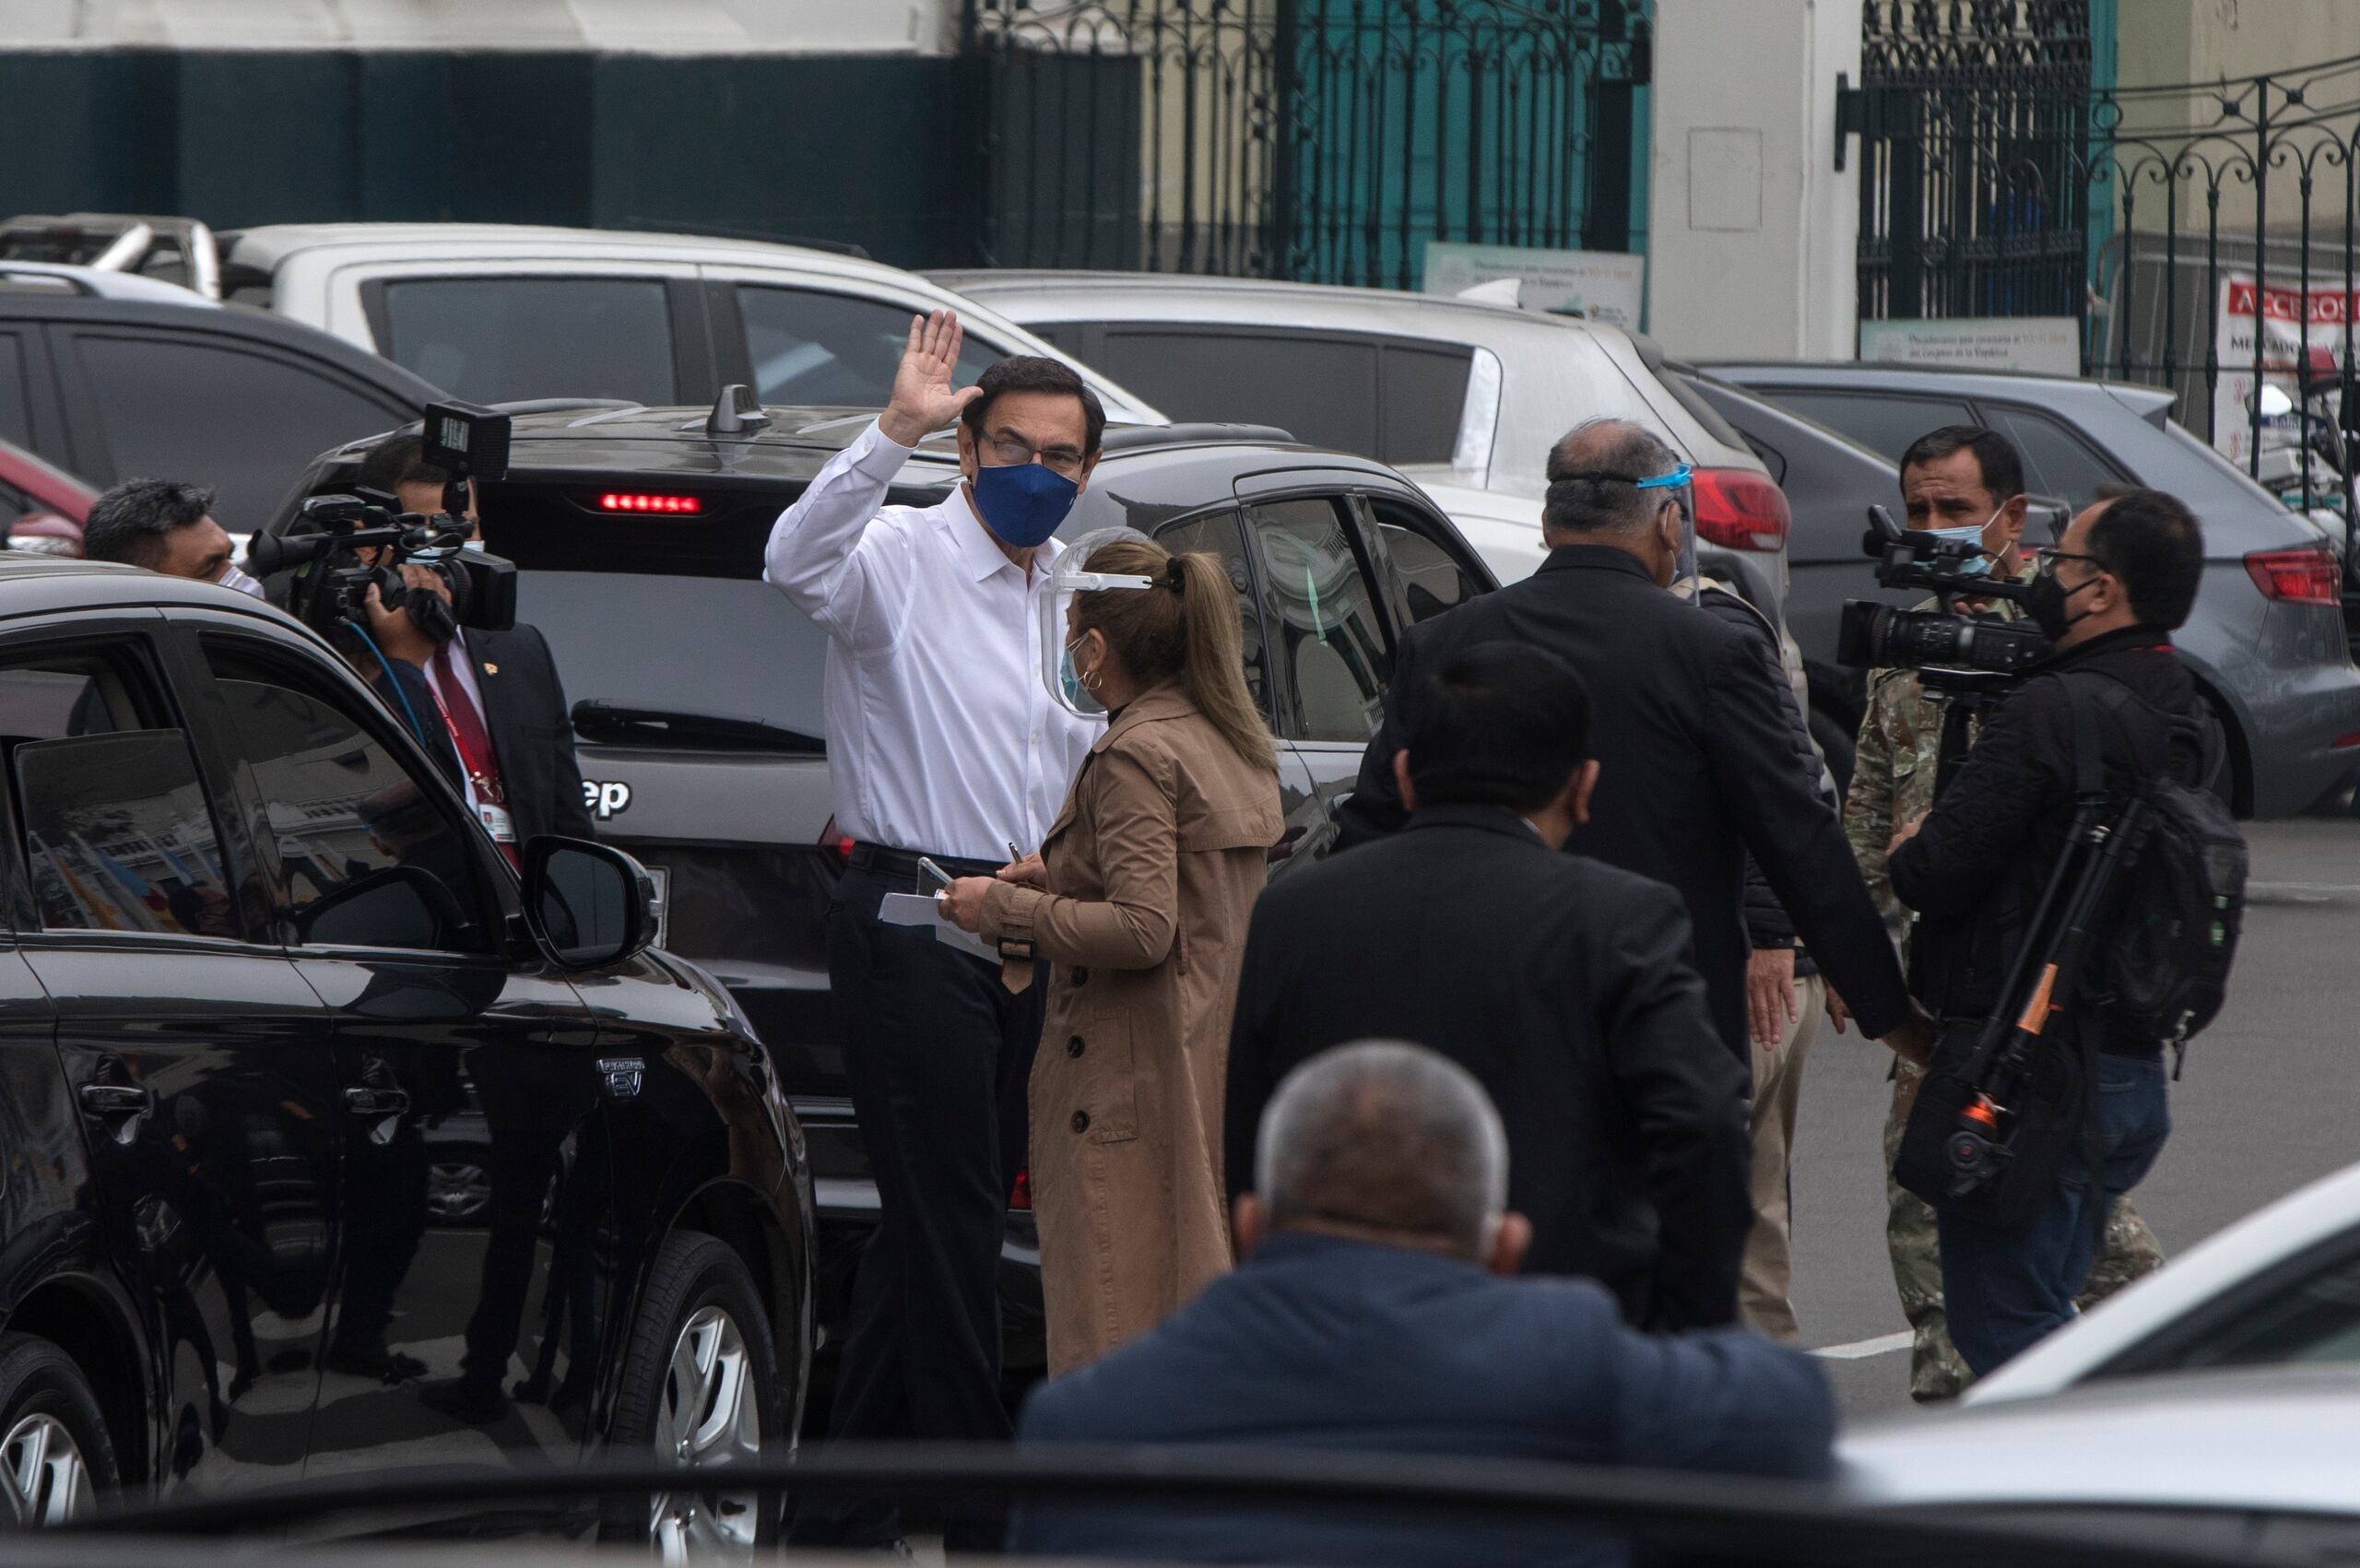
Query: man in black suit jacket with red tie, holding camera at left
point(506, 677)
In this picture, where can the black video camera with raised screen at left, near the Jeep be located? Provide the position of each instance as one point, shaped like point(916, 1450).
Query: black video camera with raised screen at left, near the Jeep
point(324, 542)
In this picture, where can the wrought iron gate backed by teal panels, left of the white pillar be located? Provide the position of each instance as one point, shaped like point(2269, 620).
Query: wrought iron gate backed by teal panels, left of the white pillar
point(1316, 141)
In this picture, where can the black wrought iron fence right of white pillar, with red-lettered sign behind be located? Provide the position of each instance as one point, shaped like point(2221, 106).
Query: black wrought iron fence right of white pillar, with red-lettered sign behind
point(2203, 235)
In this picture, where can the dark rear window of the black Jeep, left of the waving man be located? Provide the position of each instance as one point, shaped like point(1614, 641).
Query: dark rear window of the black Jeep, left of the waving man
point(726, 646)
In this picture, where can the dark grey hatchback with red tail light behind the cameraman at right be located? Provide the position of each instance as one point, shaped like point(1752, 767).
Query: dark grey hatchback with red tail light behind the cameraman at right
point(2267, 641)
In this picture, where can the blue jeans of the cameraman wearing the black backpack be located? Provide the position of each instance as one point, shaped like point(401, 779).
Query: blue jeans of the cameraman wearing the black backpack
point(2005, 1291)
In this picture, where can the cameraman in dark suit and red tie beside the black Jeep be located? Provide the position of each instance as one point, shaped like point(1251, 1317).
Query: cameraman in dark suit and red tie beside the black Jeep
point(494, 691)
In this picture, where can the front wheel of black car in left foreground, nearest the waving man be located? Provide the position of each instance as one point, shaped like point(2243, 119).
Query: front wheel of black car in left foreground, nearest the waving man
point(700, 1350)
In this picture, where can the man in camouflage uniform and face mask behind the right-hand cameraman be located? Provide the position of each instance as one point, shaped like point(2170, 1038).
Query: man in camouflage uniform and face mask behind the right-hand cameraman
point(1958, 481)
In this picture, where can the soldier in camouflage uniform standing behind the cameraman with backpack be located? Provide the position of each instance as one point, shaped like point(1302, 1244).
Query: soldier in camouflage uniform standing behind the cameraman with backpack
point(1894, 785)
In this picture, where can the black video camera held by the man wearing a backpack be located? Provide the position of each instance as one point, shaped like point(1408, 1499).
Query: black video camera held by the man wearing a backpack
point(1880, 636)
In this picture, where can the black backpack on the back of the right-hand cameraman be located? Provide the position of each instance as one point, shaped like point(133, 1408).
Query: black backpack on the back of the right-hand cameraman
point(2163, 965)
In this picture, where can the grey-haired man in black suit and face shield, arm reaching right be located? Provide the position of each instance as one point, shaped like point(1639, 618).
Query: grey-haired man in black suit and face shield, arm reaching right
point(1689, 729)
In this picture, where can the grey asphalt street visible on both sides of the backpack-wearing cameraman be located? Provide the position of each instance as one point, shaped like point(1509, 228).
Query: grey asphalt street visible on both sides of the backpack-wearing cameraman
point(2269, 1102)
